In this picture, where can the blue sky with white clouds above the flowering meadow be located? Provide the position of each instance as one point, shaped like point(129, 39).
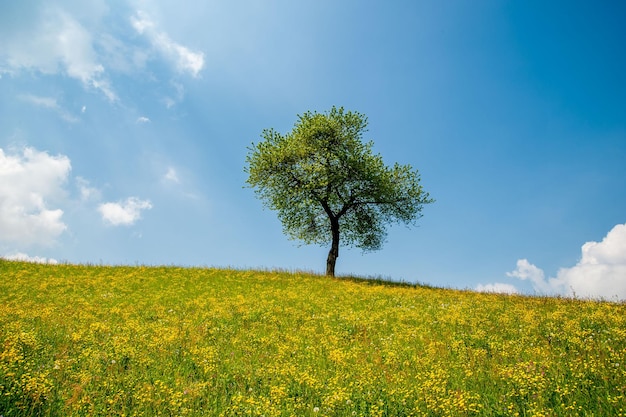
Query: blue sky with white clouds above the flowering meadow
point(124, 127)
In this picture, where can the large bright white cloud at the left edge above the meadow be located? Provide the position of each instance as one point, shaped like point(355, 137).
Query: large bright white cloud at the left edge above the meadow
point(28, 183)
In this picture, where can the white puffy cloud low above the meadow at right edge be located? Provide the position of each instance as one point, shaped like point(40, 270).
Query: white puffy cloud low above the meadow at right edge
point(600, 273)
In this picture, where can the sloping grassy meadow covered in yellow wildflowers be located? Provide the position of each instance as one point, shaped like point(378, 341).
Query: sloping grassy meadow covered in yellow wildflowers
point(81, 340)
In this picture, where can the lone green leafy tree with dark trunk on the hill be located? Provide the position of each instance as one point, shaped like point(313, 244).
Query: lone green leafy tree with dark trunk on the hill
point(325, 183)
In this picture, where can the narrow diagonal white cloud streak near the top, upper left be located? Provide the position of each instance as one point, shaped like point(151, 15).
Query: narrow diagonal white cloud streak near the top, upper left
point(183, 58)
